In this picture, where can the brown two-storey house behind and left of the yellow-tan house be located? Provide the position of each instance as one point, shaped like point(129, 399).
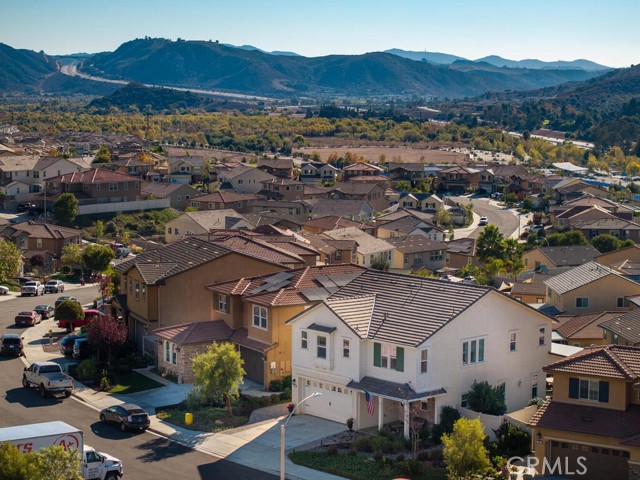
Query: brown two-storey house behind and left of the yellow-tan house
point(165, 287)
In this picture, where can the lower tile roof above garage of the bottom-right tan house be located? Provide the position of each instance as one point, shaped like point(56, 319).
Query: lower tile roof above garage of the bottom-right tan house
point(585, 419)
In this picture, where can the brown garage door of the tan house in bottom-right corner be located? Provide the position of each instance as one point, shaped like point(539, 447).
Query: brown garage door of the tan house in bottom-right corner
point(600, 463)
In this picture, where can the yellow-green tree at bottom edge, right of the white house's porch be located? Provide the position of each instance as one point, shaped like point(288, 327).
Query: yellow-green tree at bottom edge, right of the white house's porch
point(464, 451)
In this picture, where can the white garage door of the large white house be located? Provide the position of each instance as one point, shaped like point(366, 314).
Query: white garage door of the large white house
point(335, 403)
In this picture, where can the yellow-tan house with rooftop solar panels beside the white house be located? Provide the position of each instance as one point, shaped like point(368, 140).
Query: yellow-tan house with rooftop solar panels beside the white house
point(256, 310)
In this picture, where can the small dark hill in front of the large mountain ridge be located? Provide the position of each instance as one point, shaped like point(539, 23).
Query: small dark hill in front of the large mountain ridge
point(159, 99)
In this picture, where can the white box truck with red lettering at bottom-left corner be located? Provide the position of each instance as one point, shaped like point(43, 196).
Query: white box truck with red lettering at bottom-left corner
point(31, 438)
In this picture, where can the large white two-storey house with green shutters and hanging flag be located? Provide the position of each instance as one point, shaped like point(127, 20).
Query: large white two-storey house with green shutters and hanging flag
point(415, 345)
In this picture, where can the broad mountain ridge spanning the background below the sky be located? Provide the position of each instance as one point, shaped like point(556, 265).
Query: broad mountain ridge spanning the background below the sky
point(209, 65)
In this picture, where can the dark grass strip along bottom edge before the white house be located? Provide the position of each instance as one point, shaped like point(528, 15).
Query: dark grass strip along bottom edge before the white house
point(364, 467)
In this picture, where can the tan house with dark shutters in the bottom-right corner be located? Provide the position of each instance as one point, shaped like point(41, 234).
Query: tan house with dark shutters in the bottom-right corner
point(590, 425)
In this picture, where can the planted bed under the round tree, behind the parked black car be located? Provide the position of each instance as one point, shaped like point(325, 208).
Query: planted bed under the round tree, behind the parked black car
point(204, 418)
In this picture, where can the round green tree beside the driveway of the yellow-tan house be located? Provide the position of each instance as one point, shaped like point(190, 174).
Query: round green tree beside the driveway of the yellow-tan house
point(218, 373)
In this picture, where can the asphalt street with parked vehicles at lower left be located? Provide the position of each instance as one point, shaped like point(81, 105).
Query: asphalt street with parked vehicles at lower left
point(144, 455)
